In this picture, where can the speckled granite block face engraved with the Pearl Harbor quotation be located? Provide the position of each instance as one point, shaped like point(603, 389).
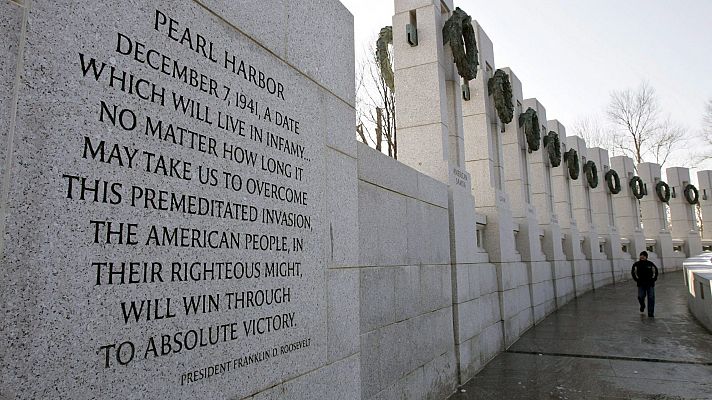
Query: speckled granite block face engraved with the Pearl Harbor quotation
point(165, 203)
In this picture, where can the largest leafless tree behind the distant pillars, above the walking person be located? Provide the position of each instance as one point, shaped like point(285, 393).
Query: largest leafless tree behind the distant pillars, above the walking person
point(641, 131)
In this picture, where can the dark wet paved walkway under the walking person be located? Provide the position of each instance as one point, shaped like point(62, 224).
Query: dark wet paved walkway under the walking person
point(601, 347)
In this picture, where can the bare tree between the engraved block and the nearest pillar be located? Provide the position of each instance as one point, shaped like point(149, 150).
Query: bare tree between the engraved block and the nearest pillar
point(375, 100)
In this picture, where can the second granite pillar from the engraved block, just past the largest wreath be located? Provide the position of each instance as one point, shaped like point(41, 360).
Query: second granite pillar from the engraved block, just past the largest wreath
point(484, 161)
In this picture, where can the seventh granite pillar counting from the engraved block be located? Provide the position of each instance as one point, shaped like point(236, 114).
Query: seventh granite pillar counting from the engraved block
point(604, 217)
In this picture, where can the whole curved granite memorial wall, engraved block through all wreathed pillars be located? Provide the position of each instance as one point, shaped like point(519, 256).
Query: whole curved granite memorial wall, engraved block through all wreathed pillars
point(186, 212)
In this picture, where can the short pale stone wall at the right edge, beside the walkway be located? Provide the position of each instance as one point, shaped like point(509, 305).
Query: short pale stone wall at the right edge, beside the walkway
point(698, 278)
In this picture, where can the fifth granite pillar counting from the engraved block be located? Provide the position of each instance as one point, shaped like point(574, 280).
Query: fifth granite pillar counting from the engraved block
point(578, 281)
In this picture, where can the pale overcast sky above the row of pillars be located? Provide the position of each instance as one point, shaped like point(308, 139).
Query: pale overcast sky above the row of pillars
point(571, 54)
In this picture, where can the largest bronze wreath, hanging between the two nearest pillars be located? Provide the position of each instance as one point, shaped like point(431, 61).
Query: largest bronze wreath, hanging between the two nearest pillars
point(456, 28)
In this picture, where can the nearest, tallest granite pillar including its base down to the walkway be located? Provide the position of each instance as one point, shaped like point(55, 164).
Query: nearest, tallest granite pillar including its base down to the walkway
point(431, 140)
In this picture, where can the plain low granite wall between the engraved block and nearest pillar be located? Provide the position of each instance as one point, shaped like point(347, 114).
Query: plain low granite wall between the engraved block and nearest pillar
point(406, 316)
